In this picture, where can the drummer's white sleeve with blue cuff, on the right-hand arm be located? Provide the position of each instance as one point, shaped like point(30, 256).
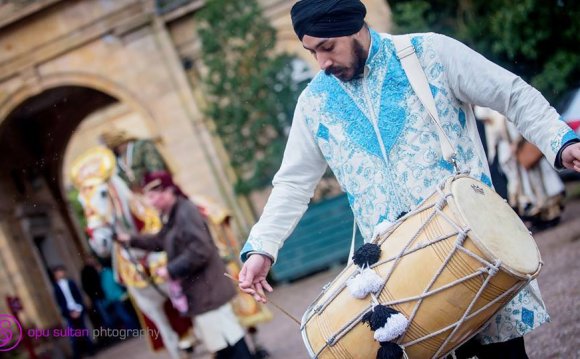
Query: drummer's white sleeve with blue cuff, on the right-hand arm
point(474, 79)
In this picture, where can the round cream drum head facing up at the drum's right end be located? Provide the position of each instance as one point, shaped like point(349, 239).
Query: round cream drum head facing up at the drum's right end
point(495, 227)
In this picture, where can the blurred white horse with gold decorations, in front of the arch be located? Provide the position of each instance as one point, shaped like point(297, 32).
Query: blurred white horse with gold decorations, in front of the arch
point(110, 205)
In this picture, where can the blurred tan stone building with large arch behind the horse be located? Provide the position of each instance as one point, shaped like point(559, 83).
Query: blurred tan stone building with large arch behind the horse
point(69, 70)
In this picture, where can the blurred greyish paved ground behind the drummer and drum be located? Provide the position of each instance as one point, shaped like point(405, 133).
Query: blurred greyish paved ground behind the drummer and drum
point(560, 248)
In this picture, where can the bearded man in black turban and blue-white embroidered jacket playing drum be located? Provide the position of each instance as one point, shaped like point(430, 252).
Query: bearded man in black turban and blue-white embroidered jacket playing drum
point(360, 116)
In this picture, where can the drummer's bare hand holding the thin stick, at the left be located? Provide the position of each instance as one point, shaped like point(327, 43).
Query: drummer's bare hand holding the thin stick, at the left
point(253, 277)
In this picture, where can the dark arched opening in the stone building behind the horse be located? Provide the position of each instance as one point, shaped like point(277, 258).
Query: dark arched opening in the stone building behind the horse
point(37, 230)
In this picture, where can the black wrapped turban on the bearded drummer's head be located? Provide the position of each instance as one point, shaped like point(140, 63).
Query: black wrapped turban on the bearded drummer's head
point(327, 18)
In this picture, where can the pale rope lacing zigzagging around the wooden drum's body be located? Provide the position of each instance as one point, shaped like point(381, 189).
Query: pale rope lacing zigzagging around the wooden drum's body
point(488, 268)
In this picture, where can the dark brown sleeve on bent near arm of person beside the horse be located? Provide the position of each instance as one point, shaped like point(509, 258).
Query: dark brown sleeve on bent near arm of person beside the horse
point(197, 245)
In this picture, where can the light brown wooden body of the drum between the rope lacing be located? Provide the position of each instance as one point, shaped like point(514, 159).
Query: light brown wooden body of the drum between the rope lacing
point(412, 275)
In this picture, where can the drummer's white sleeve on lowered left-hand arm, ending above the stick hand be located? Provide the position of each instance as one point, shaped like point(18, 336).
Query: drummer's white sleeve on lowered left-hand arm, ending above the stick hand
point(302, 167)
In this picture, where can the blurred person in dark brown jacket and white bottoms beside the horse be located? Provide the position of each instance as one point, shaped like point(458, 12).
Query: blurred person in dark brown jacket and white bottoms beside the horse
point(194, 268)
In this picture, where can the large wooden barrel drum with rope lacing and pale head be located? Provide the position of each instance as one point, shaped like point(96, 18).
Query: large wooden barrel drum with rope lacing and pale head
point(448, 267)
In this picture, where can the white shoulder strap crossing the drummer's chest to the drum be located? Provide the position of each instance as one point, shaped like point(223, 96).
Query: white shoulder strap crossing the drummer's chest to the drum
point(418, 80)
